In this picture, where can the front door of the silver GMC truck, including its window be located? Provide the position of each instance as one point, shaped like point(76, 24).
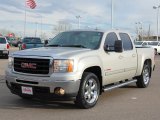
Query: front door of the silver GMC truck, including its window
point(113, 62)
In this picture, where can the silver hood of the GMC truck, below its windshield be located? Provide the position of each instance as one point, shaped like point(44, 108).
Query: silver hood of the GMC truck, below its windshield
point(51, 52)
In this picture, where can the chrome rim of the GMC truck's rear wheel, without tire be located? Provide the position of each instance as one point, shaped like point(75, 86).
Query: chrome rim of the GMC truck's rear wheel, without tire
point(146, 75)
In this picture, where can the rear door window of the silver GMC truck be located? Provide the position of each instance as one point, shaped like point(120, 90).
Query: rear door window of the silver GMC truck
point(127, 44)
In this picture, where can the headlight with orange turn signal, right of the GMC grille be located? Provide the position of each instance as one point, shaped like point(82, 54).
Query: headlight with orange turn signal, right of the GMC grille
point(60, 66)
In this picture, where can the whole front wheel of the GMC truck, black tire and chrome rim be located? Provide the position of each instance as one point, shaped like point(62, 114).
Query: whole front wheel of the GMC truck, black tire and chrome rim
point(89, 91)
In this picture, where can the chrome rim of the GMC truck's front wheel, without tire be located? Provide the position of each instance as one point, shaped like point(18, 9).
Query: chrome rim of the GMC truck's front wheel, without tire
point(91, 91)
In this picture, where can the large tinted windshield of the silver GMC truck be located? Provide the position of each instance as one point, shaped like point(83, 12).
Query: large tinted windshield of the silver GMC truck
point(84, 39)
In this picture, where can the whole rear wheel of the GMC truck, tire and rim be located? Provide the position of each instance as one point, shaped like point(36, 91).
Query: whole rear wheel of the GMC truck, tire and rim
point(144, 79)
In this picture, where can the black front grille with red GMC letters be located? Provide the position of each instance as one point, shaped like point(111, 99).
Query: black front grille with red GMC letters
point(41, 66)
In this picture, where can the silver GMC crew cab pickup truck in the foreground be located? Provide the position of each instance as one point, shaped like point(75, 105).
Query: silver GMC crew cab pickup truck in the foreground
point(79, 65)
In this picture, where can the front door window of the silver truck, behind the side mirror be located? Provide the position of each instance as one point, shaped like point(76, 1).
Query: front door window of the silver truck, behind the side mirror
point(110, 40)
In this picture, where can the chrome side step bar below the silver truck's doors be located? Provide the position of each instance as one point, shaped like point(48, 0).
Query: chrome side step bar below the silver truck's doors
point(107, 88)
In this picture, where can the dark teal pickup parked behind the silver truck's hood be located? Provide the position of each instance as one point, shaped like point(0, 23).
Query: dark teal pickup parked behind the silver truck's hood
point(30, 42)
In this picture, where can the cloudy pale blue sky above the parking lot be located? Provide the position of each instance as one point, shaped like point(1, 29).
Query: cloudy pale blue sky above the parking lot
point(94, 13)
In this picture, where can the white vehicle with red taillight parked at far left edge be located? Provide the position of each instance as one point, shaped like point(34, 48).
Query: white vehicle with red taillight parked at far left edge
point(4, 47)
